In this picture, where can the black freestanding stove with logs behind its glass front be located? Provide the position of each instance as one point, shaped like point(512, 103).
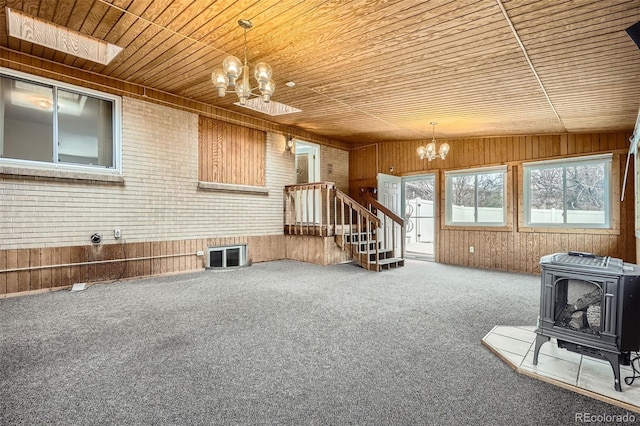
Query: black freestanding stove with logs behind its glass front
point(591, 305)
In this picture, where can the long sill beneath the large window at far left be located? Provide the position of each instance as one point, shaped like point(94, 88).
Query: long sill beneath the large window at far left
point(21, 172)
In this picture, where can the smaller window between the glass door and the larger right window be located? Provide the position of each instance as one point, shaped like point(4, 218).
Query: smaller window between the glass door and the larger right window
point(476, 197)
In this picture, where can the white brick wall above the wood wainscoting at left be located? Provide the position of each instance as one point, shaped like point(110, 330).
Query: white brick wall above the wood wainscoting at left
point(159, 199)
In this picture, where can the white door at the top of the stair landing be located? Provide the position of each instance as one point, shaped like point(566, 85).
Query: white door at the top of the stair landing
point(308, 171)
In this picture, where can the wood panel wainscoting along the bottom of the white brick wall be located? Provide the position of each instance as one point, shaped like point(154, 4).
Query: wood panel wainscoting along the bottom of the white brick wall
point(48, 268)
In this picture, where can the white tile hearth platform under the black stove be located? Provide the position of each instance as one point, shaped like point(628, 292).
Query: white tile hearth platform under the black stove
point(583, 374)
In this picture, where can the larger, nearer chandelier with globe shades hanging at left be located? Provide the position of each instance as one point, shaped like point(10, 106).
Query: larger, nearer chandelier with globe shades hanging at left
point(232, 68)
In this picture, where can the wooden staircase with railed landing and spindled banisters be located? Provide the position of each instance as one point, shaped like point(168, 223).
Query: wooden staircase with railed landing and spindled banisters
point(371, 234)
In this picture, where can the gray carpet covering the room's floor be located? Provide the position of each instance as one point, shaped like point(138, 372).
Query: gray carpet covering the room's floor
point(278, 343)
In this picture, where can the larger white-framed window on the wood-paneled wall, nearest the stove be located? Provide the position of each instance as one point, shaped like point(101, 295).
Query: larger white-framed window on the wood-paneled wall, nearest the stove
point(568, 193)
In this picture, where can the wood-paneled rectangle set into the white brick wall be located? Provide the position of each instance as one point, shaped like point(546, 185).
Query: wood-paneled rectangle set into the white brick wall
point(228, 153)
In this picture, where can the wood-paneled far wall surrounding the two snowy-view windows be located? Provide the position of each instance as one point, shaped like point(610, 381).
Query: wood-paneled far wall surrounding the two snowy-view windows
point(515, 248)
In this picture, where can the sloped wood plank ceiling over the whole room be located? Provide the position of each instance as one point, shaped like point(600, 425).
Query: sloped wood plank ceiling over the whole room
point(372, 70)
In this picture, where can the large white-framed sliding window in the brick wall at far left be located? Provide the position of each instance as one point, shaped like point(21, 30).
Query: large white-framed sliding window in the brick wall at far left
point(81, 131)
